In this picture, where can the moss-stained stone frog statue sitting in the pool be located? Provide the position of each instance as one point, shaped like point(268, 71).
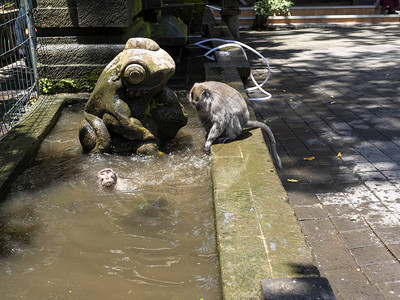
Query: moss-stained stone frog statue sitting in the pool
point(131, 110)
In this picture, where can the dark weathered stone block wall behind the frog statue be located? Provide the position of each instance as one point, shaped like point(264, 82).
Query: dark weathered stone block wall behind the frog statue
point(77, 38)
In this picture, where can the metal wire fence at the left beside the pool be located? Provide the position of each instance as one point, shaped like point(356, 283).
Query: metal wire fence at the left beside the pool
point(18, 73)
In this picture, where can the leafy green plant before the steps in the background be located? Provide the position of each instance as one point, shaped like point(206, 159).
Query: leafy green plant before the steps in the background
point(265, 8)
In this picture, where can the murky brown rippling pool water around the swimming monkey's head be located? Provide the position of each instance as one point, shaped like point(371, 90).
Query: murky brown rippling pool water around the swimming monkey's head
point(152, 237)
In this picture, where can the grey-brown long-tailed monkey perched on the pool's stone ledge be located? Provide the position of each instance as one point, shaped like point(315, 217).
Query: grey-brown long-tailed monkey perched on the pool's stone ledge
point(224, 113)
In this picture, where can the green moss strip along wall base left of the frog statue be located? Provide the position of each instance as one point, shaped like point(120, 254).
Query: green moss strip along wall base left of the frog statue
point(70, 85)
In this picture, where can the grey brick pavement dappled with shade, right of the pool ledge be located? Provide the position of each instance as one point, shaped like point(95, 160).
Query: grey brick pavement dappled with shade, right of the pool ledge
point(336, 103)
